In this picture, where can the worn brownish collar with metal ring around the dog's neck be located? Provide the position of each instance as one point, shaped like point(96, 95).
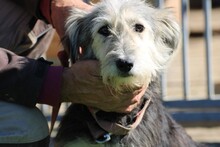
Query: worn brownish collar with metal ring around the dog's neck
point(101, 130)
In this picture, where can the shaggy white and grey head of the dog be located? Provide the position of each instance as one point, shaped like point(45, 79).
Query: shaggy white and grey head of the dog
point(132, 40)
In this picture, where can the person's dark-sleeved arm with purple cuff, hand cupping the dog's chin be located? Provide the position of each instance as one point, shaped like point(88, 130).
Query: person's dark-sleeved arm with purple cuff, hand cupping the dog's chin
point(27, 82)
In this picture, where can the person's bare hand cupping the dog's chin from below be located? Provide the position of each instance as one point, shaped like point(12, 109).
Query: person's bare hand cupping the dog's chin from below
point(82, 84)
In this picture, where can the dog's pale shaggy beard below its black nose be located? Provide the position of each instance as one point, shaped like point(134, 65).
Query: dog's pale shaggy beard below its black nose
point(133, 80)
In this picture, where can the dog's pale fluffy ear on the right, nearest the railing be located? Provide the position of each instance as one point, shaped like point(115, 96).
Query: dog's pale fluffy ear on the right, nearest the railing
point(167, 28)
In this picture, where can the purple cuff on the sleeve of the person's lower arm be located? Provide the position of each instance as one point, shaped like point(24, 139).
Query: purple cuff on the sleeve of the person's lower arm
point(50, 92)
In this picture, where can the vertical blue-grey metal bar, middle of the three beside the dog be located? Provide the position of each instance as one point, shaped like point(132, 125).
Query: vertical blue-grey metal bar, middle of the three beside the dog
point(185, 43)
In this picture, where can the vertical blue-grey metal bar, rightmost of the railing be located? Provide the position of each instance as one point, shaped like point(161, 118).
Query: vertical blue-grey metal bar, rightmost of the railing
point(207, 6)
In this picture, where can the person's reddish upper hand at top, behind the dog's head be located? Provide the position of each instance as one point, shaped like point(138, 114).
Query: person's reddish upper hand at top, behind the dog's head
point(60, 10)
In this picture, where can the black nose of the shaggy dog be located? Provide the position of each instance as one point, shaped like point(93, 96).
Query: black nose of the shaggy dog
point(124, 66)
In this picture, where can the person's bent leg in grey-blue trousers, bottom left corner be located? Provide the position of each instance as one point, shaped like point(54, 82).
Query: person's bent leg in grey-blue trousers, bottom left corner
point(22, 126)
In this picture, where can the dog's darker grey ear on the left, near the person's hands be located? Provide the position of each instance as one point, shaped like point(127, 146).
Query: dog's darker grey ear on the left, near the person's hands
point(73, 30)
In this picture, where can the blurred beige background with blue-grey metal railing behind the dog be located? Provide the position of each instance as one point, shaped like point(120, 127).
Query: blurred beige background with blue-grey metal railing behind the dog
point(191, 85)
